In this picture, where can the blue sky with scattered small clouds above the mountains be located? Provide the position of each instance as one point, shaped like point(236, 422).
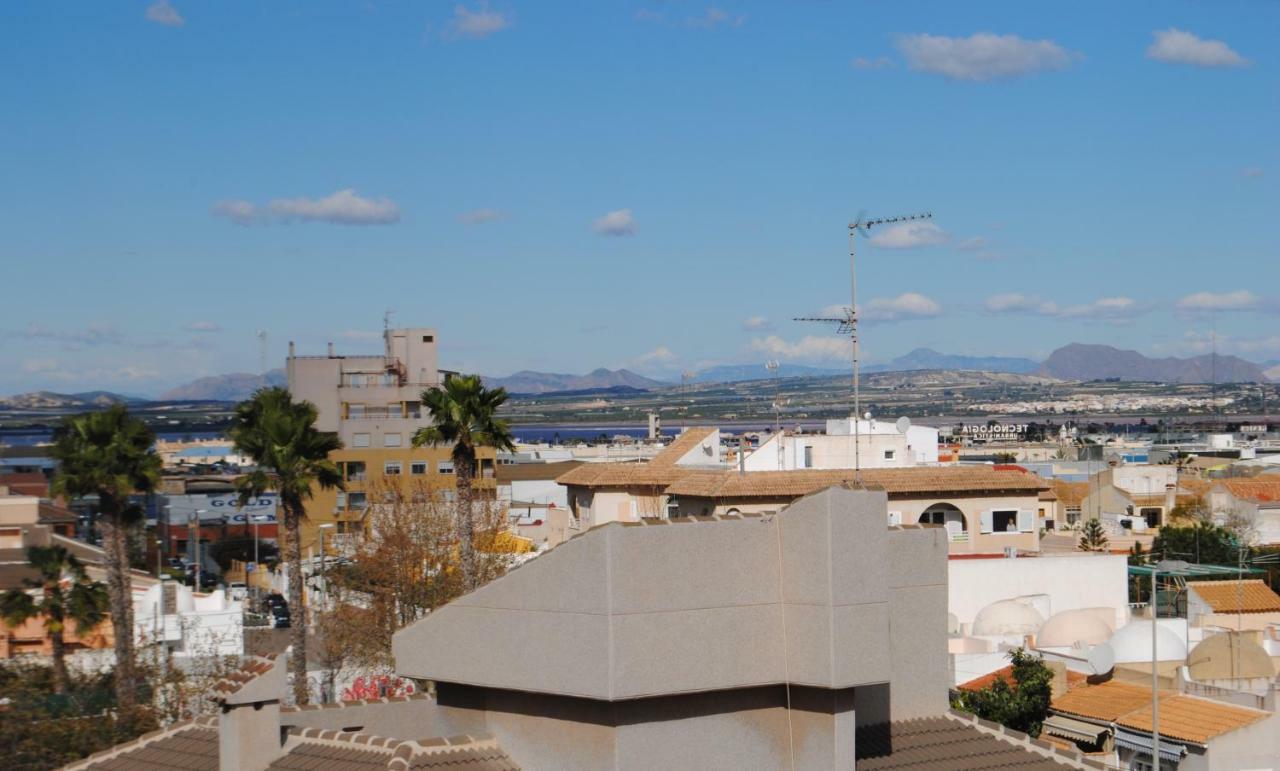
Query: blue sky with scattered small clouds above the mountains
point(664, 186)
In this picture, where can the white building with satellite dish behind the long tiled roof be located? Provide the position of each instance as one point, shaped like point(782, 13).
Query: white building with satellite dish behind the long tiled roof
point(879, 446)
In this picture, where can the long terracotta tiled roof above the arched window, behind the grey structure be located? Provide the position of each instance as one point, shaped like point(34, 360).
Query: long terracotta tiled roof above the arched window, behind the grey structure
point(895, 482)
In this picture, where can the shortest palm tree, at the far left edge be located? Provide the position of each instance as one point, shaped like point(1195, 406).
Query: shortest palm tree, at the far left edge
point(83, 601)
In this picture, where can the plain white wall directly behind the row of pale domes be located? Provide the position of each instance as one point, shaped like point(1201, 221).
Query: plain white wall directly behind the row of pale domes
point(1069, 581)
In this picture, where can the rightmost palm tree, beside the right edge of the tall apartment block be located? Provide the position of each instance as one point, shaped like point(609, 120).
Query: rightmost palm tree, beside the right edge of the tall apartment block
point(465, 417)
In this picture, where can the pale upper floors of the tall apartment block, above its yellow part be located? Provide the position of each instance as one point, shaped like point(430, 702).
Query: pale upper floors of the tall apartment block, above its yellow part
point(371, 400)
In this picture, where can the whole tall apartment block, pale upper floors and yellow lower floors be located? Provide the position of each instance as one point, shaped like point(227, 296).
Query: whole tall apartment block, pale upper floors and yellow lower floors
point(374, 404)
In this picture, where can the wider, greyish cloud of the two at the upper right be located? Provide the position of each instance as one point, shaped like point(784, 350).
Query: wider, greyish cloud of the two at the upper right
point(982, 57)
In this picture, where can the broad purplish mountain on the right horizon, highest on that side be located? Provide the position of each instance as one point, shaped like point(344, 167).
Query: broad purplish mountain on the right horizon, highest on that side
point(1080, 362)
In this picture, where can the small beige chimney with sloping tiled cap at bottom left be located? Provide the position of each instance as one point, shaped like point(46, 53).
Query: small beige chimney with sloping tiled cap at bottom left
point(249, 726)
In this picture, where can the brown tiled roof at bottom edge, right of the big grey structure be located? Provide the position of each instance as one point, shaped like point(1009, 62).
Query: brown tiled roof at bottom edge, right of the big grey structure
point(958, 743)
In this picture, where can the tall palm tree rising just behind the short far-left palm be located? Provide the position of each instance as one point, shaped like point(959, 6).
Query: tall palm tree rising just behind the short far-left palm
point(109, 455)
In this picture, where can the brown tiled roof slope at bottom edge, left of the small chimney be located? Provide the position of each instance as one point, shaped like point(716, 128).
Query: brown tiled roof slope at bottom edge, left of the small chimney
point(184, 747)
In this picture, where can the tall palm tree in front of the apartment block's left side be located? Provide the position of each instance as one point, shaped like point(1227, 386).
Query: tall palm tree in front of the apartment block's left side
point(292, 458)
